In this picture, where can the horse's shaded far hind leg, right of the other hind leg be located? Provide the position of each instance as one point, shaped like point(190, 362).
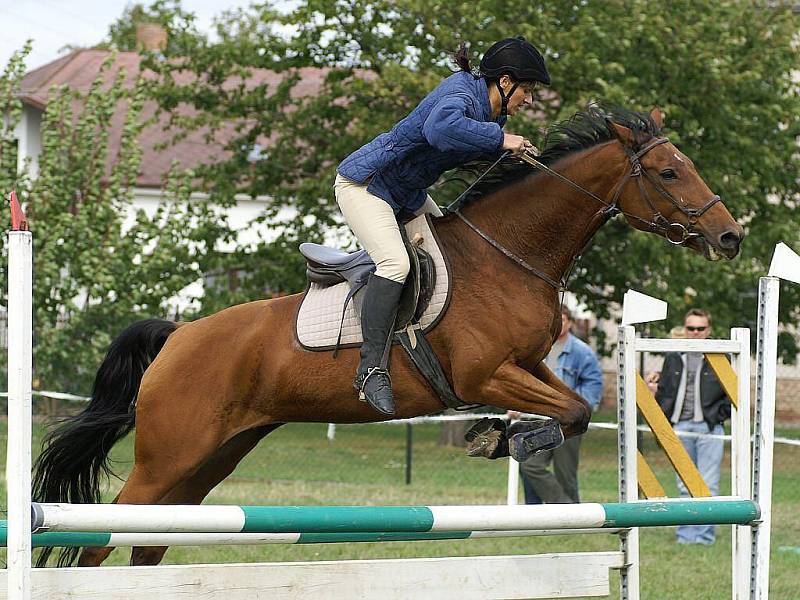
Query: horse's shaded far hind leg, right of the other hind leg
point(195, 488)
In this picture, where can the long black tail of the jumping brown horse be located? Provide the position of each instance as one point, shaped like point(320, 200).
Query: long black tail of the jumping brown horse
point(75, 454)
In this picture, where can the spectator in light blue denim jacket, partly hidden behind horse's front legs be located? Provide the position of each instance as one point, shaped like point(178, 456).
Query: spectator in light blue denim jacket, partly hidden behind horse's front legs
point(576, 364)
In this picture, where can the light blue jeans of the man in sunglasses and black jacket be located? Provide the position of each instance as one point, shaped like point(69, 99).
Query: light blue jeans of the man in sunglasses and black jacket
point(706, 453)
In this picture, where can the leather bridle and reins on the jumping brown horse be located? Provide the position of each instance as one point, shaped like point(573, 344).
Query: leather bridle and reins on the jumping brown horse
point(674, 232)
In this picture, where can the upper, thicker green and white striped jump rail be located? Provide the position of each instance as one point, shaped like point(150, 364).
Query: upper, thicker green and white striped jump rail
point(119, 518)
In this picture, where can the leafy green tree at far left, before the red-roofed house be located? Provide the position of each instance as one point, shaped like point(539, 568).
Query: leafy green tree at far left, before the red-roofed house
point(95, 273)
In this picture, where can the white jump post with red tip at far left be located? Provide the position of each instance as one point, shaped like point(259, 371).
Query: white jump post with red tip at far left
point(18, 458)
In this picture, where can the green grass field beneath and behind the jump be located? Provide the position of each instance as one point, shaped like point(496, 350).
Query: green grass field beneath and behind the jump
point(365, 465)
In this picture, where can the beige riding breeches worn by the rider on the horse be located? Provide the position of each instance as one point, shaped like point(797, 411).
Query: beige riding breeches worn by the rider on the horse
point(373, 222)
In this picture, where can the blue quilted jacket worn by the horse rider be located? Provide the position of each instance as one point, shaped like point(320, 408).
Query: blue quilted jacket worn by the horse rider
point(451, 126)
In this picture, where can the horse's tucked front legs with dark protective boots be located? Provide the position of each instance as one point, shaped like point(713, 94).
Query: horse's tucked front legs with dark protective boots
point(538, 391)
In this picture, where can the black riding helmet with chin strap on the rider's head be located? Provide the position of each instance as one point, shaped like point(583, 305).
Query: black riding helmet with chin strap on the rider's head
point(517, 58)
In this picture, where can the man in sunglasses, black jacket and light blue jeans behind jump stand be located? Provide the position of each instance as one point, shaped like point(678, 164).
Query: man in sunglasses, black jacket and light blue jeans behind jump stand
point(693, 400)
